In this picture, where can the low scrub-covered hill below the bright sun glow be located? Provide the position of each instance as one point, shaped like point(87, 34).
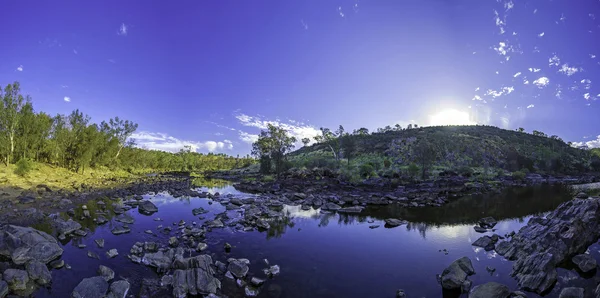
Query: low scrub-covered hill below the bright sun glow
point(429, 150)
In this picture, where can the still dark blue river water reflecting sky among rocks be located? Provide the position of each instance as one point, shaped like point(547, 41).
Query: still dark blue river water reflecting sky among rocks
point(331, 255)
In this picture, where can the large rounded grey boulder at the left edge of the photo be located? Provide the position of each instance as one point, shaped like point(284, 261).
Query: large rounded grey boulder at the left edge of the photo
point(24, 244)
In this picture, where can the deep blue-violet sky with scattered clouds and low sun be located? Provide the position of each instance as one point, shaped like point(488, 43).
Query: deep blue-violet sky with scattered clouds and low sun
point(211, 74)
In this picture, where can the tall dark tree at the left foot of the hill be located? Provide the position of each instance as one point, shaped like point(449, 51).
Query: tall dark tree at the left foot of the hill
point(272, 145)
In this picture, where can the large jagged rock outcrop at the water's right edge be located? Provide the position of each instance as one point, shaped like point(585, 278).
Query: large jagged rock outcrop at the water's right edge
point(545, 242)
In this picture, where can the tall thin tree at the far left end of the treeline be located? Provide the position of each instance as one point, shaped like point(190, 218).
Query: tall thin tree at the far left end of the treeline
point(12, 103)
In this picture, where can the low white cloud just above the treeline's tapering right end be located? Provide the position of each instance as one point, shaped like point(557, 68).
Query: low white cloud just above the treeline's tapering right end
point(163, 142)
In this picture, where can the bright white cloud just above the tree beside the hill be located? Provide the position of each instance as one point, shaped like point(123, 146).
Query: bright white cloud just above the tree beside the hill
point(297, 129)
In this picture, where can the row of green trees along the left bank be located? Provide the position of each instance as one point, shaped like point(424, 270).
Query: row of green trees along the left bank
point(74, 142)
